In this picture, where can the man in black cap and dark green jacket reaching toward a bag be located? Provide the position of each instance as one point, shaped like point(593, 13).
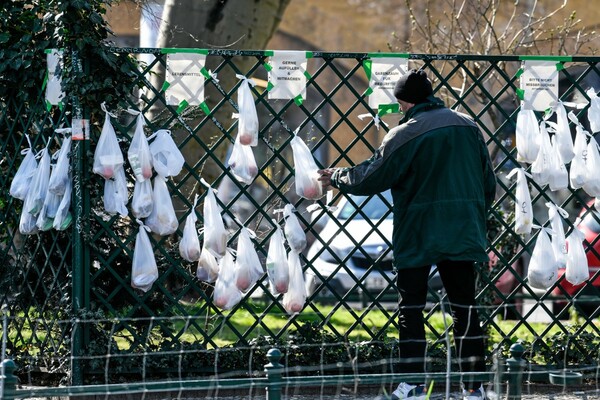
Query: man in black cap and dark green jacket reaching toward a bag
point(442, 182)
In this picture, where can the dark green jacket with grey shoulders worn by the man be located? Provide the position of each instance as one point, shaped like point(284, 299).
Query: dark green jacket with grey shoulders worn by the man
point(442, 182)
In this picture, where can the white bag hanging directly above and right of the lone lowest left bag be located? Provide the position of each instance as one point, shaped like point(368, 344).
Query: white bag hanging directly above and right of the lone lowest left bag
point(162, 220)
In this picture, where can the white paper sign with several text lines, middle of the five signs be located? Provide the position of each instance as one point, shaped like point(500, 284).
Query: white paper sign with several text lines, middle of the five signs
point(287, 76)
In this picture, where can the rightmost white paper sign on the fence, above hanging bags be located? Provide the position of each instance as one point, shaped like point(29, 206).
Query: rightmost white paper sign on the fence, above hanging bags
point(539, 82)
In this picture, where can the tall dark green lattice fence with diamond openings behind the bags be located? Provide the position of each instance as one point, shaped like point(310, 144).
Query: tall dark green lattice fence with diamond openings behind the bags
point(70, 309)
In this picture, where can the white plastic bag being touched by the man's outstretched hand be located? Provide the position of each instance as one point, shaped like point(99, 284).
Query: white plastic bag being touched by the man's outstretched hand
point(308, 185)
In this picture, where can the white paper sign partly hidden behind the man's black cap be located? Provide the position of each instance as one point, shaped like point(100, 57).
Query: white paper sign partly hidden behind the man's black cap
point(385, 72)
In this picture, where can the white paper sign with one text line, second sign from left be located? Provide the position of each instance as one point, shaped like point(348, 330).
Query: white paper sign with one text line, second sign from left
point(185, 79)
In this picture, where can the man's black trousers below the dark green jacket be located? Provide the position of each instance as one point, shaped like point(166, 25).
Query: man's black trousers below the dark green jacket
point(458, 278)
